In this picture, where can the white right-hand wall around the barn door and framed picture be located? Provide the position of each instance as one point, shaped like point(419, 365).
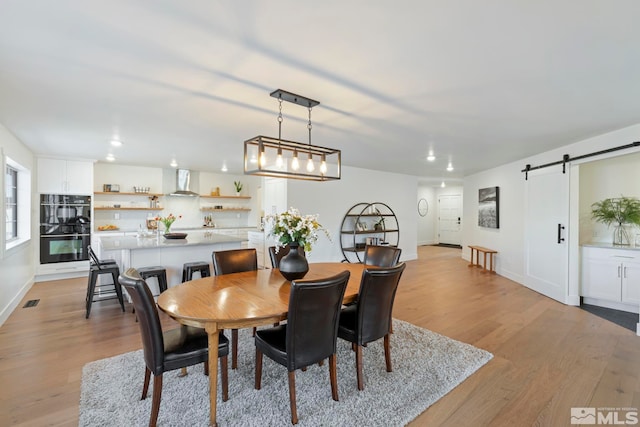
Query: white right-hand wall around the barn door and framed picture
point(508, 240)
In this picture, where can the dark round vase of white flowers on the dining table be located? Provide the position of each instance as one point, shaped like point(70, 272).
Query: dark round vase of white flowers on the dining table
point(291, 228)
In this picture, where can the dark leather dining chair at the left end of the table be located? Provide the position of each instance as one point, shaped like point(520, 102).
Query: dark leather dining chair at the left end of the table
point(169, 350)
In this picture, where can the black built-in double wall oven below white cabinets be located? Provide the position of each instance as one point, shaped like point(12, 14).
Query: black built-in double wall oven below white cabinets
point(65, 228)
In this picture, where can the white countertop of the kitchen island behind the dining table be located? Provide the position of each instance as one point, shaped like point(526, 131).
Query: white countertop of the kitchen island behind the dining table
point(111, 243)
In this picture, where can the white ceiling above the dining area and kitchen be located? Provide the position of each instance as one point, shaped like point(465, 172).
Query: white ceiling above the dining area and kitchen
point(481, 83)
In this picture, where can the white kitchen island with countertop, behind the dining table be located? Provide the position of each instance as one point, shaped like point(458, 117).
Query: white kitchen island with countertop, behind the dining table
point(138, 252)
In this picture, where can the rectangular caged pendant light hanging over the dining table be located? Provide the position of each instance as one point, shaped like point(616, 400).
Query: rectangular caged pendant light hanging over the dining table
point(280, 158)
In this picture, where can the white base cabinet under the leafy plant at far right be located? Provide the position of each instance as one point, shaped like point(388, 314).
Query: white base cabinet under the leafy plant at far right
point(611, 277)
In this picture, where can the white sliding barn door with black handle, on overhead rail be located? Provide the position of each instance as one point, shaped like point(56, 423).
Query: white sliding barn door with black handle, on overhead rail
point(547, 233)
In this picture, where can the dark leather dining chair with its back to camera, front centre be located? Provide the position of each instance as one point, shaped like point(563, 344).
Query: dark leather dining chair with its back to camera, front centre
point(310, 334)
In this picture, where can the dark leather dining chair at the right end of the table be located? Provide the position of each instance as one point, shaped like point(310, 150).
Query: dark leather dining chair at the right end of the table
point(370, 318)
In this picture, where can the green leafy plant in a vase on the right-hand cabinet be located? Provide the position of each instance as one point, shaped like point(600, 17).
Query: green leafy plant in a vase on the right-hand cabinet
point(619, 212)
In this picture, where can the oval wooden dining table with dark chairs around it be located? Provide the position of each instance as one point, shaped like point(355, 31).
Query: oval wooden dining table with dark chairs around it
point(241, 300)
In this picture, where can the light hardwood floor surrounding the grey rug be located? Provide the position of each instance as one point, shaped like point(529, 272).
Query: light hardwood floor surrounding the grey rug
point(548, 357)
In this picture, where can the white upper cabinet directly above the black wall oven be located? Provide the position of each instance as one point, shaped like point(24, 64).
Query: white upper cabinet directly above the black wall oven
point(57, 176)
